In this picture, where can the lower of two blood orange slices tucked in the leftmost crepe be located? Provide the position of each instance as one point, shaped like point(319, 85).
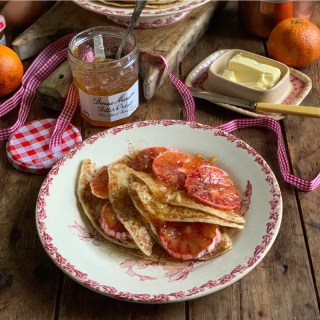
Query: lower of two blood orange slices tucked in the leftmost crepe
point(111, 225)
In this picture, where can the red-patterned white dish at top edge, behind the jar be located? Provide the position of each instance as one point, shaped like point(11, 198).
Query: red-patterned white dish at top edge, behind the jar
point(149, 18)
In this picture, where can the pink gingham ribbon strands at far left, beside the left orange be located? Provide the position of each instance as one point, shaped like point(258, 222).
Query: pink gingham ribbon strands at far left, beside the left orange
point(42, 66)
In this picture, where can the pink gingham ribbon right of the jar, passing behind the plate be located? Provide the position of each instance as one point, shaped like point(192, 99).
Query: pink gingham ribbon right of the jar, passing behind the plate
point(299, 183)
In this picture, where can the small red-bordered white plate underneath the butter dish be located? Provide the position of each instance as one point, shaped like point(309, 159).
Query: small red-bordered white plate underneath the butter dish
point(300, 86)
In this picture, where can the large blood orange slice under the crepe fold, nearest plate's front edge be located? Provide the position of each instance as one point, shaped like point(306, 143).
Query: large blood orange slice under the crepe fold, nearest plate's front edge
point(187, 241)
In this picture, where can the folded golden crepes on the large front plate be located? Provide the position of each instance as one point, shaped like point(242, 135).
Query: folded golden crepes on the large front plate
point(144, 205)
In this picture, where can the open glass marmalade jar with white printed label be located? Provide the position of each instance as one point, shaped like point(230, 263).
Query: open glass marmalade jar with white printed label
point(108, 88)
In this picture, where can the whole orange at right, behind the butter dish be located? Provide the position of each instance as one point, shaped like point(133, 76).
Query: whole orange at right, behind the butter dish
point(295, 42)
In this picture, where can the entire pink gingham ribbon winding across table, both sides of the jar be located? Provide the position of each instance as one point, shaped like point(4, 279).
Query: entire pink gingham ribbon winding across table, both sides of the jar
point(56, 52)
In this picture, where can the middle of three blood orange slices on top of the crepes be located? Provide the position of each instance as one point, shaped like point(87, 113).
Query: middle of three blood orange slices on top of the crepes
point(174, 166)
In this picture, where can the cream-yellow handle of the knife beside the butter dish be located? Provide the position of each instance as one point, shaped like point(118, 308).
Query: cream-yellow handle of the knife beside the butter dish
point(289, 109)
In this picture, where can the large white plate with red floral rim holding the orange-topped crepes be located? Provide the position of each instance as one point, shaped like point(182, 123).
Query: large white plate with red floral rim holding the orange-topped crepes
point(78, 251)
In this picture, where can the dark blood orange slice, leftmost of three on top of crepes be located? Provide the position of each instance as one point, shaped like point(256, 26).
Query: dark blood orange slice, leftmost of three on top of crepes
point(144, 159)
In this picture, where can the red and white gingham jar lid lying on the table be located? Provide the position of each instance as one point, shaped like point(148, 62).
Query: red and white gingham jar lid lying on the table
point(28, 147)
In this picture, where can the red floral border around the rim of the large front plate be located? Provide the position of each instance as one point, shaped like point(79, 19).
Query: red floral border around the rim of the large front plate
point(227, 279)
